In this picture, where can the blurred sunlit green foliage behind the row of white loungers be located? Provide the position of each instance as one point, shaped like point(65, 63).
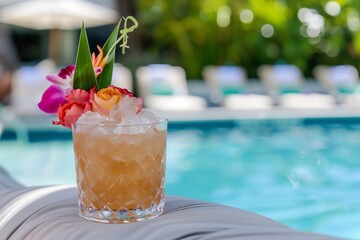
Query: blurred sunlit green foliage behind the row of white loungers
point(188, 33)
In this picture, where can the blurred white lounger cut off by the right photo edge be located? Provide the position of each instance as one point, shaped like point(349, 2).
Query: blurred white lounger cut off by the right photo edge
point(341, 81)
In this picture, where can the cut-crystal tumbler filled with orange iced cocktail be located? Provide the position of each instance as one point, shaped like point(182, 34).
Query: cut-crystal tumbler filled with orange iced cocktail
point(120, 171)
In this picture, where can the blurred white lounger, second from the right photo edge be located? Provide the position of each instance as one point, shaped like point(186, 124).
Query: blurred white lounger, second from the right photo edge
point(285, 84)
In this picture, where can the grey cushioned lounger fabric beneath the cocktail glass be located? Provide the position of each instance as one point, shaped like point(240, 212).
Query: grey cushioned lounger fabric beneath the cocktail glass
point(51, 213)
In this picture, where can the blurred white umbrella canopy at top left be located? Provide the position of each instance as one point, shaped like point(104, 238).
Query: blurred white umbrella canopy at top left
point(57, 14)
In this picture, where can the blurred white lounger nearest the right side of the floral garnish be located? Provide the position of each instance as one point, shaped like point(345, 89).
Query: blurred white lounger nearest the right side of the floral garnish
point(164, 87)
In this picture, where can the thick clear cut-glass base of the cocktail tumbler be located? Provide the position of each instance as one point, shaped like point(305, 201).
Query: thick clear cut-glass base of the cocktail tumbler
point(107, 215)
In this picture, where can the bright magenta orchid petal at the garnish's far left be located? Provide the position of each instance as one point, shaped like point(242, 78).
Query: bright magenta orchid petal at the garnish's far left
point(51, 99)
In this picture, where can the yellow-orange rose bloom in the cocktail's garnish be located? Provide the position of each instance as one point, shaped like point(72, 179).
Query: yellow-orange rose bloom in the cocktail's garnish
point(105, 99)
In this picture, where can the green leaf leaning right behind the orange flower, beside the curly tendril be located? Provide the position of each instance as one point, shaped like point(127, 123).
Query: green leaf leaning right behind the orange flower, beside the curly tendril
point(104, 79)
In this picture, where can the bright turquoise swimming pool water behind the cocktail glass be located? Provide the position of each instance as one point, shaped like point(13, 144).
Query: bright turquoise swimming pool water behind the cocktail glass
point(302, 172)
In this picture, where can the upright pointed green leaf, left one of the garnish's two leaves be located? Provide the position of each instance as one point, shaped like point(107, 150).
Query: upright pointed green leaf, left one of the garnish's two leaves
point(84, 77)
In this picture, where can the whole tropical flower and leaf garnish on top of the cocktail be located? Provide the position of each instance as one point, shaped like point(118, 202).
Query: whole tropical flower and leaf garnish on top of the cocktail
point(86, 86)
